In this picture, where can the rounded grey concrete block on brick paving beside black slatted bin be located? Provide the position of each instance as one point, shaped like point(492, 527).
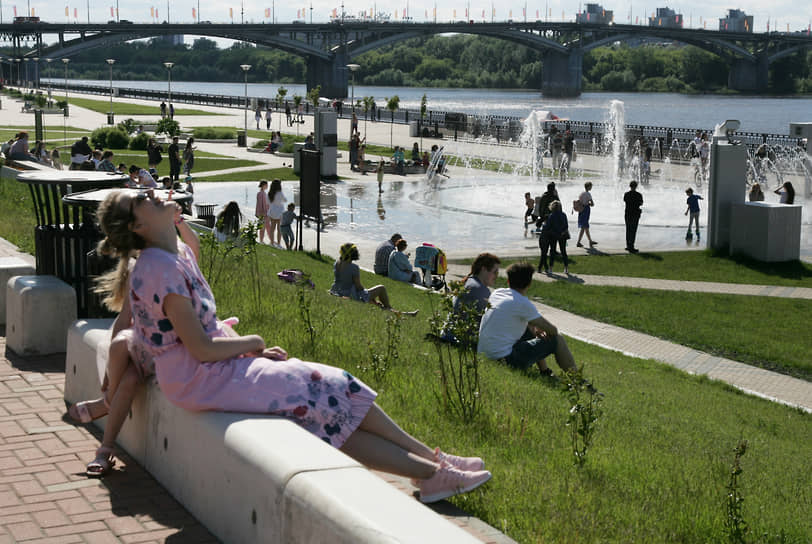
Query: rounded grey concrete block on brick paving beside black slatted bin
point(39, 312)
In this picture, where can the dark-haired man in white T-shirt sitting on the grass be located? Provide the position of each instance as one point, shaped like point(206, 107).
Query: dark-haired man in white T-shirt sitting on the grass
point(512, 329)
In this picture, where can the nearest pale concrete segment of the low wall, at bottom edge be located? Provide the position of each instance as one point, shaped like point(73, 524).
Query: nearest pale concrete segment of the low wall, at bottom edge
point(354, 506)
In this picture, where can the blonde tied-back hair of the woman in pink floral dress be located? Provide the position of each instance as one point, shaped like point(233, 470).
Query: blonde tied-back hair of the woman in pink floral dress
point(119, 241)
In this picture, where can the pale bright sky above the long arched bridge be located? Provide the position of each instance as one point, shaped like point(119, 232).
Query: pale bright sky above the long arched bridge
point(697, 13)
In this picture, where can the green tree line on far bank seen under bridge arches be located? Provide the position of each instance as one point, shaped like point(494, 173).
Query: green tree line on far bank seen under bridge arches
point(457, 61)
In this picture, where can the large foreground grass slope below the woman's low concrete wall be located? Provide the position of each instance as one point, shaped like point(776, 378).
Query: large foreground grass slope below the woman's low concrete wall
point(660, 462)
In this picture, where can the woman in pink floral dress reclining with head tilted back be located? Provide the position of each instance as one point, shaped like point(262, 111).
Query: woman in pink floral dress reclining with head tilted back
point(201, 366)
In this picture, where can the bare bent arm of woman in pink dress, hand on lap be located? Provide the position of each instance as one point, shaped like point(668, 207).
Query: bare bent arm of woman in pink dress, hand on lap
point(187, 326)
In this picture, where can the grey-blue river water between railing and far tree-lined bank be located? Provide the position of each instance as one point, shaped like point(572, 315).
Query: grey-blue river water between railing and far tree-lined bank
point(757, 114)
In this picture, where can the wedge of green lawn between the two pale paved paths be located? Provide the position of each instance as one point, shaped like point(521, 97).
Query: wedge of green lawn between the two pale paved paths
point(768, 332)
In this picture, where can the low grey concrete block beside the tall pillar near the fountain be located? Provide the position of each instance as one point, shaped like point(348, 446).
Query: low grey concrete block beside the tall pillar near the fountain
point(766, 231)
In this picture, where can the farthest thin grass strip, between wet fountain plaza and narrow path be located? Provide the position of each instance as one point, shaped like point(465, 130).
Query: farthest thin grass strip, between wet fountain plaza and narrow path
point(690, 266)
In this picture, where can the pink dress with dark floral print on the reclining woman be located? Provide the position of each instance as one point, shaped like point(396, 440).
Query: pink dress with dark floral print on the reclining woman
point(327, 401)
